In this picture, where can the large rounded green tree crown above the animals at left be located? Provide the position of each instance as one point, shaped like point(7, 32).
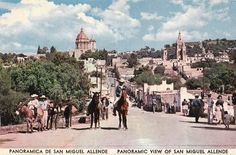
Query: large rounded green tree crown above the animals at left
point(54, 80)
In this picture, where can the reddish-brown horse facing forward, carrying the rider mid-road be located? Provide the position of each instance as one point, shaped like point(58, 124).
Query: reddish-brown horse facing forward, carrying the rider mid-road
point(122, 108)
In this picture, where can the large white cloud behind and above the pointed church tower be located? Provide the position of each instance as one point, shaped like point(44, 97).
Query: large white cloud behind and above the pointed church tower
point(191, 21)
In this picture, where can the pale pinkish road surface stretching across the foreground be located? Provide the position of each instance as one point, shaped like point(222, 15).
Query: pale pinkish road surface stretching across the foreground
point(146, 130)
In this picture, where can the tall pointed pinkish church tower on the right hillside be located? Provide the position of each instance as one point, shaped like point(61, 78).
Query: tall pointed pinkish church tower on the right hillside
point(180, 49)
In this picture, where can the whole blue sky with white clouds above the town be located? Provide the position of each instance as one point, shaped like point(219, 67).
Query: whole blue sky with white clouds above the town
point(122, 25)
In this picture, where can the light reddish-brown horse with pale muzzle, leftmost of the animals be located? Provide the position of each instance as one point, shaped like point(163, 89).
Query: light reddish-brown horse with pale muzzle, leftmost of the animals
point(24, 109)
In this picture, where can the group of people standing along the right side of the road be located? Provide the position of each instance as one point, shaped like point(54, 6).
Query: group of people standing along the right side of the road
point(217, 111)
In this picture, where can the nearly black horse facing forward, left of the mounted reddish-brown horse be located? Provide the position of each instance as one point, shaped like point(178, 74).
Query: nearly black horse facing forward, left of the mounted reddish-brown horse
point(94, 109)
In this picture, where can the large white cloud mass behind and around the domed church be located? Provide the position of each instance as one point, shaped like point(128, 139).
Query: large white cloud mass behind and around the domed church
point(31, 23)
